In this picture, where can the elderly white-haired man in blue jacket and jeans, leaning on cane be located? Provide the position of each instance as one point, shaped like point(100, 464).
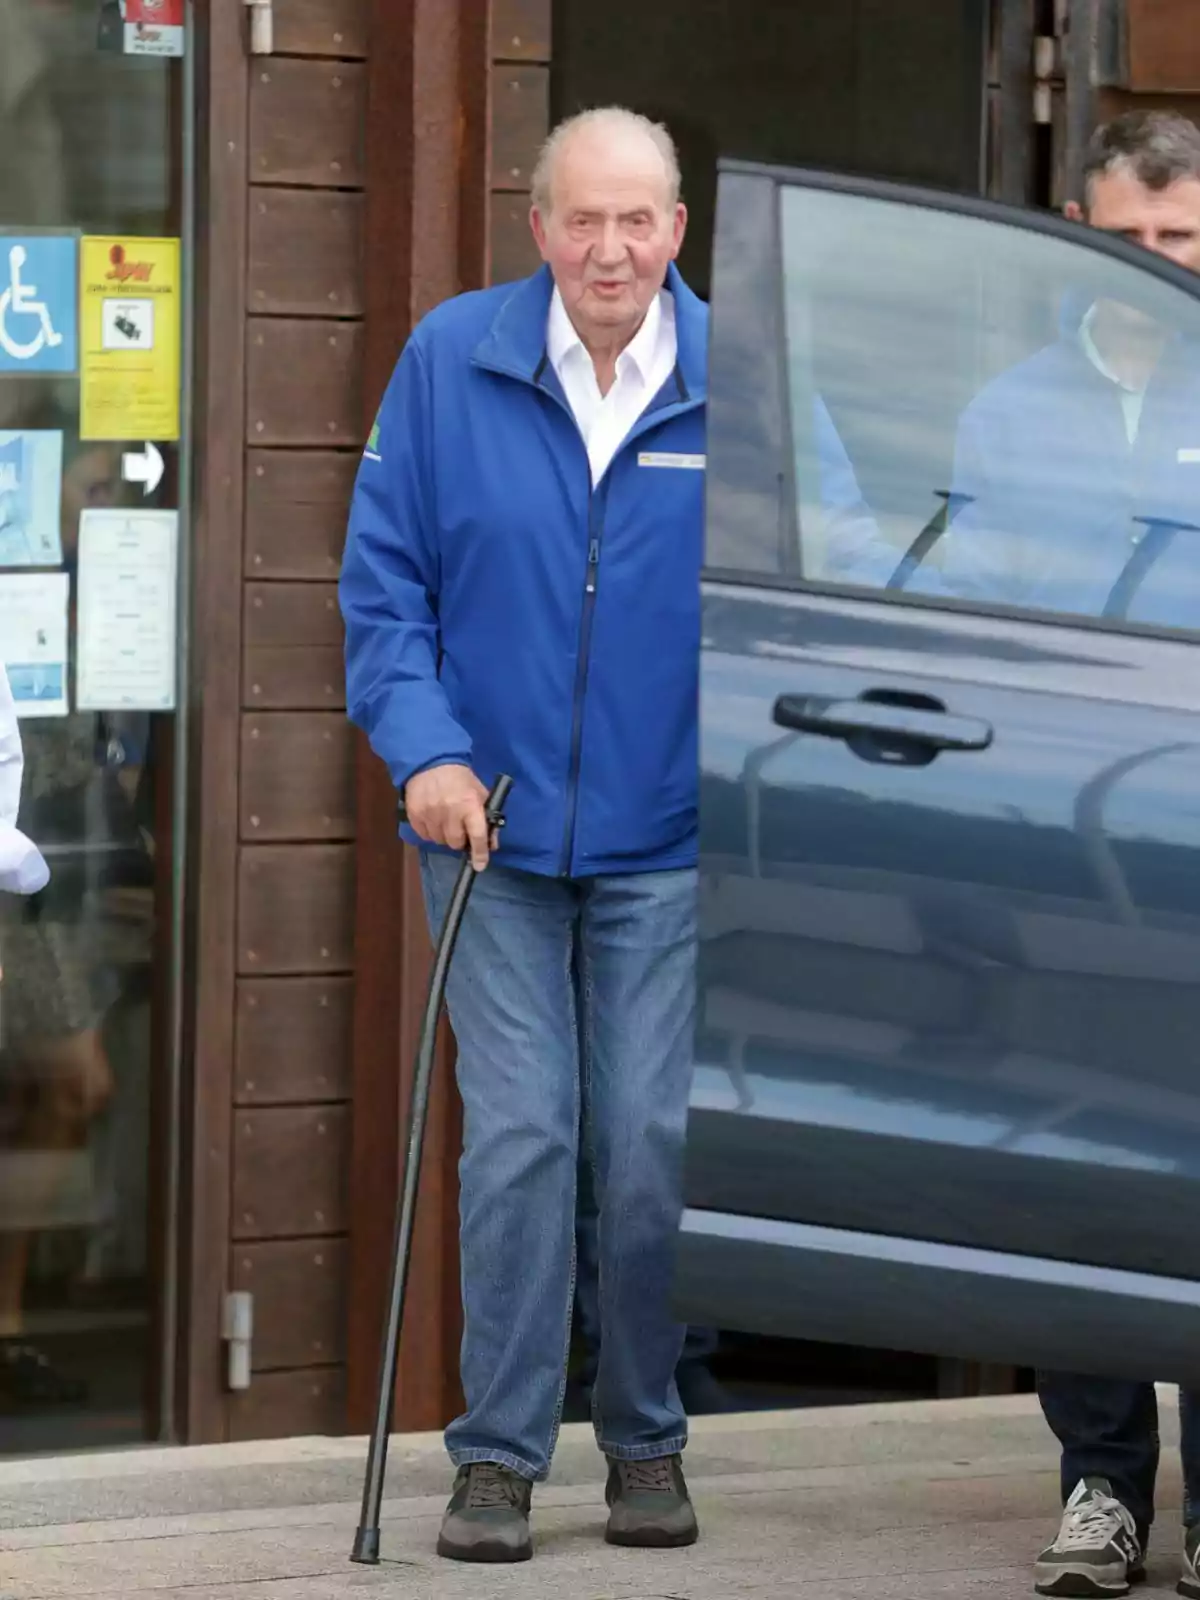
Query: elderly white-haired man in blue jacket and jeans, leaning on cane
point(522, 596)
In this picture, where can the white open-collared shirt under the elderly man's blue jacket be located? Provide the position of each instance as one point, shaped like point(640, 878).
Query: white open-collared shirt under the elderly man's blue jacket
point(642, 369)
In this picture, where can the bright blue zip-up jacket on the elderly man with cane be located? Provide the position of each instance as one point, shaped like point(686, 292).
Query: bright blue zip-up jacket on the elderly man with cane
point(505, 614)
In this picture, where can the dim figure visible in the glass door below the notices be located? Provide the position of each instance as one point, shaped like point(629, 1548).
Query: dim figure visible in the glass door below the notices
point(62, 980)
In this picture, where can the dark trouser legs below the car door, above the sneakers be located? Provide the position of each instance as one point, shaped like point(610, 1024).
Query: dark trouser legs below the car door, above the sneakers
point(1110, 1430)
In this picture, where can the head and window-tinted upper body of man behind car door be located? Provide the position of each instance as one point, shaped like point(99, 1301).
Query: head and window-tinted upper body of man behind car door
point(1078, 471)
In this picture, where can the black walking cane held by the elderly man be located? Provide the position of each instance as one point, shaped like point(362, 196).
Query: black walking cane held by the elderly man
point(367, 1538)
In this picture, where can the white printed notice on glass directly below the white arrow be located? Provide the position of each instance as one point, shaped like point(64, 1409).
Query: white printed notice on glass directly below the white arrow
point(126, 610)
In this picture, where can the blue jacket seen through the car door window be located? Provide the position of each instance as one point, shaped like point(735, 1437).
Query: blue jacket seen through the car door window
point(1055, 508)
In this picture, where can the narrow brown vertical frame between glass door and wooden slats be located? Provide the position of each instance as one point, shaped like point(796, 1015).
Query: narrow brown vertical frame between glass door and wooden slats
point(222, 180)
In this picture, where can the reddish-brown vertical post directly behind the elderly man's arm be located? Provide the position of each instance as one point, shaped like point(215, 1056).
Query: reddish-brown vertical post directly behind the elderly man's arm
point(426, 239)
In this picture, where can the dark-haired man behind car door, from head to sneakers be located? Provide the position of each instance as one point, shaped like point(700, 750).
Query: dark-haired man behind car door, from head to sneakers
point(1079, 490)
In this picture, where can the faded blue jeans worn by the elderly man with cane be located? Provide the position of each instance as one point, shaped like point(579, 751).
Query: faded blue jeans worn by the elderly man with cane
point(535, 1081)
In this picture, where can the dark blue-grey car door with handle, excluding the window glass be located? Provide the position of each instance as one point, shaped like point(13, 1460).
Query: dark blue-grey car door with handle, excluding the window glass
point(946, 1092)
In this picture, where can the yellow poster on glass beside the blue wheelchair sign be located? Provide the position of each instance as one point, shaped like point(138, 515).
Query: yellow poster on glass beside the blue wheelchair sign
point(130, 330)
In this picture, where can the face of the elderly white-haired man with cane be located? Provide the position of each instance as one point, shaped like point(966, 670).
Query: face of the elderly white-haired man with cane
point(610, 231)
